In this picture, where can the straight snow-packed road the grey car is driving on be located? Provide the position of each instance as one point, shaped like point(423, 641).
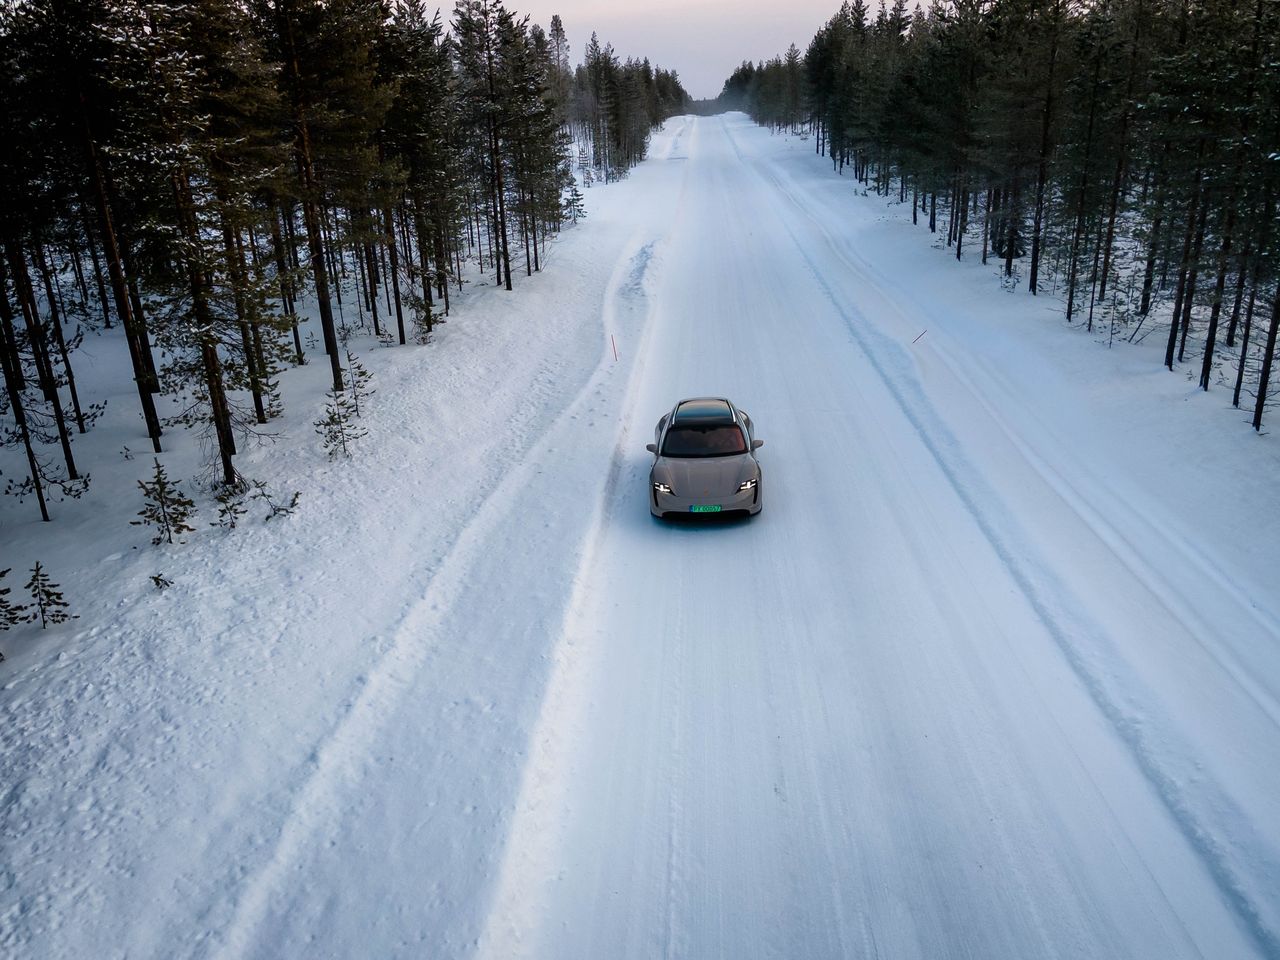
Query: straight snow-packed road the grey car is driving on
point(871, 724)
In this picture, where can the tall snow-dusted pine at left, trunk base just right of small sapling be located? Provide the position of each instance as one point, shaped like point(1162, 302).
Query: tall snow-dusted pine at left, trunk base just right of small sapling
point(209, 135)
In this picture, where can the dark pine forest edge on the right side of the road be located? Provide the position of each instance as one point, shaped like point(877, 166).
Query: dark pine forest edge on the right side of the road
point(1123, 153)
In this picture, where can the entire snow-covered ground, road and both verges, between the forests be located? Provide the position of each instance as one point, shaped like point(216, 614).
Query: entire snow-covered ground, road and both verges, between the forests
point(996, 673)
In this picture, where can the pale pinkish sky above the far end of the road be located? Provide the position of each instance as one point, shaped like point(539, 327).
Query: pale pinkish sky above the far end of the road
point(702, 40)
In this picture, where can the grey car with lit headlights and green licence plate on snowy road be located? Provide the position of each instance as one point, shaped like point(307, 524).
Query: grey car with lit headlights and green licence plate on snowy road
point(705, 461)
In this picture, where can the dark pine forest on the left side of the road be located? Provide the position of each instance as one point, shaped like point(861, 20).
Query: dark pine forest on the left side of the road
point(191, 173)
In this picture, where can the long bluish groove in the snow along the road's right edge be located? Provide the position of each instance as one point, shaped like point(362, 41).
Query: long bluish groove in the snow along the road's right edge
point(1060, 615)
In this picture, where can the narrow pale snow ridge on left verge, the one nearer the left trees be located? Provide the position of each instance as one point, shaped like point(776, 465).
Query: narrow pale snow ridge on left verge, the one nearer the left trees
point(412, 644)
